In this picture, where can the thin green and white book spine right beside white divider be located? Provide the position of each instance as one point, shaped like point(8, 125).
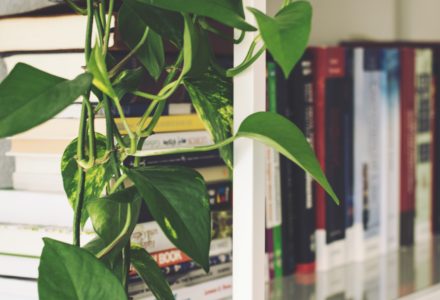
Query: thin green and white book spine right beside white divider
point(274, 218)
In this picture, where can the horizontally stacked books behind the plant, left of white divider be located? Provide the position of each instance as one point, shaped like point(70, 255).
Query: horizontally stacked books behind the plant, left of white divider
point(32, 200)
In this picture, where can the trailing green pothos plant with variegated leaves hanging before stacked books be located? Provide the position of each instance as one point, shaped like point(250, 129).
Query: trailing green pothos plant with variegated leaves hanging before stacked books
point(94, 175)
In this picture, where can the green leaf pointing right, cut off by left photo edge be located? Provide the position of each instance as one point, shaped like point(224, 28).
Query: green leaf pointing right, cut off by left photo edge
point(29, 97)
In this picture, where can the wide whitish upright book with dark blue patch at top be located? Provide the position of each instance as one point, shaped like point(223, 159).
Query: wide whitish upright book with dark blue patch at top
point(369, 153)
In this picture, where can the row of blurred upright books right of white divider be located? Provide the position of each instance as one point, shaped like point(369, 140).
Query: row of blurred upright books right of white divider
point(368, 109)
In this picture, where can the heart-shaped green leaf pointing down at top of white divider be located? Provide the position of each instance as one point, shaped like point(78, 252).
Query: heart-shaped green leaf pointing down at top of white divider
point(286, 35)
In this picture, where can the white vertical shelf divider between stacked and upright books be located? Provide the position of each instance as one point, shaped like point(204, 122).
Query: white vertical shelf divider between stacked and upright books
point(249, 175)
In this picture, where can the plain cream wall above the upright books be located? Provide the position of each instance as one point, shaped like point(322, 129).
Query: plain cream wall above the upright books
point(336, 20)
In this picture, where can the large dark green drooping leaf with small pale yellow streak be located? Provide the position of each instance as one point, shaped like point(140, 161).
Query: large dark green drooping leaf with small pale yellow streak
point(178, 200)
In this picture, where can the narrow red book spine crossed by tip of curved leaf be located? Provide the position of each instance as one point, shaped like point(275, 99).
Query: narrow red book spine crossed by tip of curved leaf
point(320, 67)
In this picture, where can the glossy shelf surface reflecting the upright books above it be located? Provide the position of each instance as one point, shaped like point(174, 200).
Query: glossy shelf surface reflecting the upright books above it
point(391, 276)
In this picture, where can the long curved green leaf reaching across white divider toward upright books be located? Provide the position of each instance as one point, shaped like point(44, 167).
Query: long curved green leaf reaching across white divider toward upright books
point(282, 135)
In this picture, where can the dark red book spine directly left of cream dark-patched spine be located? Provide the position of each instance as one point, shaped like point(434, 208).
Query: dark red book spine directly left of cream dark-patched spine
point(407, 138)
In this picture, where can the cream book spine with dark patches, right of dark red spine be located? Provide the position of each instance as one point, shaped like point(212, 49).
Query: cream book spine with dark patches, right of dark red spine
point(424, 103)
